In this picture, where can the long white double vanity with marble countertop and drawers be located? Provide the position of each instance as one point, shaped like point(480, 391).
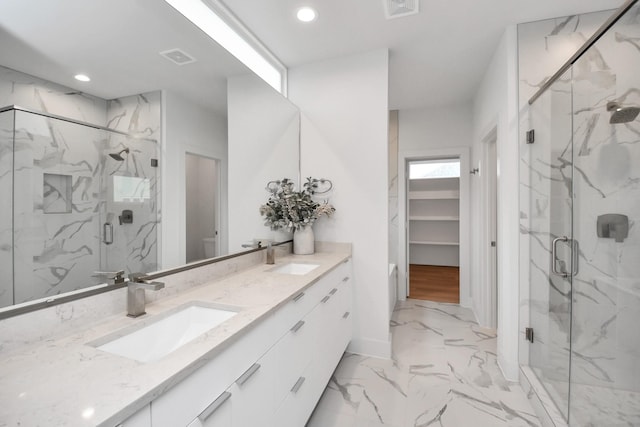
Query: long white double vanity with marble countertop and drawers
point(266, 364)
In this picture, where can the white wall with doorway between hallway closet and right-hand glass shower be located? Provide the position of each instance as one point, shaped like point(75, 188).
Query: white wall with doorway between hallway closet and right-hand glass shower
point(495, 107)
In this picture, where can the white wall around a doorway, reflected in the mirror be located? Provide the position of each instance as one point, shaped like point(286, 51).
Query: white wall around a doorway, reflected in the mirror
point(187, 129)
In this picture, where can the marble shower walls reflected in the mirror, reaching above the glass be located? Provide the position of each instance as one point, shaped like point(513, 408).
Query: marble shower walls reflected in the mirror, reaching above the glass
point(64, 187)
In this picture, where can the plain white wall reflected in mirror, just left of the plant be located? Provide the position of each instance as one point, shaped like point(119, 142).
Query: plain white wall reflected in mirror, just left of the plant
point(263, 146)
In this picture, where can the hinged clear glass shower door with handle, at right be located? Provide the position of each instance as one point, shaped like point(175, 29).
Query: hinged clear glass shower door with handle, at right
point(550, 221)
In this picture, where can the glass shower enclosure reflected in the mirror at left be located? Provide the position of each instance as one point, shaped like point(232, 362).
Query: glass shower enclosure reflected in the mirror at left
point(77, 201)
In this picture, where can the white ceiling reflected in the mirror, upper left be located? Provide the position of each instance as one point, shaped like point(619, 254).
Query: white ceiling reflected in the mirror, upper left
point(118, 44)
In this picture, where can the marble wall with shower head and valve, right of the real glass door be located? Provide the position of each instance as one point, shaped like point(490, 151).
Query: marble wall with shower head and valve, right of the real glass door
point(606, 303)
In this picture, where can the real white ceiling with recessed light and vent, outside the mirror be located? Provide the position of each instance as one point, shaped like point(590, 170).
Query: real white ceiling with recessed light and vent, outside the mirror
point(437, 57)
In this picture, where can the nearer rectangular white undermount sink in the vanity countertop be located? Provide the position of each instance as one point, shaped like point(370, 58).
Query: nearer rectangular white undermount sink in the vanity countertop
point(167, 334)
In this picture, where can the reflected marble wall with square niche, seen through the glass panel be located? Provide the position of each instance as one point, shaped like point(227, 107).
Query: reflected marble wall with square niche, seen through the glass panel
point(57, 181)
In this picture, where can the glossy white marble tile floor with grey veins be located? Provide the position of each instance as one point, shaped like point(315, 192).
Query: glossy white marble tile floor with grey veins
point(443, 373)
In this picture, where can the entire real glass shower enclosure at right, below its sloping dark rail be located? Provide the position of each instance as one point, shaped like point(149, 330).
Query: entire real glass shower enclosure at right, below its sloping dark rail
point(584, 239)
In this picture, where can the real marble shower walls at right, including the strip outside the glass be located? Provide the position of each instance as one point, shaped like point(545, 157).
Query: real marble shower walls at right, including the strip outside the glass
point(605, 352)
